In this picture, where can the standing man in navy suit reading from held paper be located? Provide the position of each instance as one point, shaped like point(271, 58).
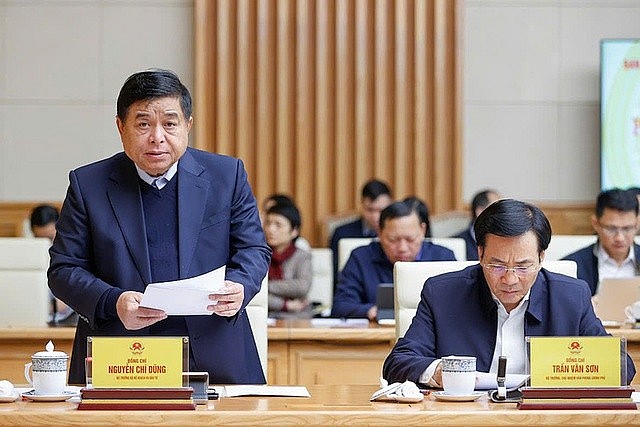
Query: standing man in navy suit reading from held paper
point(156, 212)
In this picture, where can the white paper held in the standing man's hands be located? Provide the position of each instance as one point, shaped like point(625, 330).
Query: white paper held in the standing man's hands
point(186, 297)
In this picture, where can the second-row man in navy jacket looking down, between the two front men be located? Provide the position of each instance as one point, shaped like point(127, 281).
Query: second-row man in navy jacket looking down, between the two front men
point(401, 239)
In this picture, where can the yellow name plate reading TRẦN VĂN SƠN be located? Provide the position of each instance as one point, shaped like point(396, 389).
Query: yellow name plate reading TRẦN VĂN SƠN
point(577, 361)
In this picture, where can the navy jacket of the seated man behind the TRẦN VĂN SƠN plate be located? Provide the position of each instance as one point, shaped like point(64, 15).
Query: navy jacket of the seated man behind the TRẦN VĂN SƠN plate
point(457, 315)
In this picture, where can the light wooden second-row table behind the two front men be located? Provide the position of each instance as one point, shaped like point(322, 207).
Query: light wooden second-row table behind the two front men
point(300, 352)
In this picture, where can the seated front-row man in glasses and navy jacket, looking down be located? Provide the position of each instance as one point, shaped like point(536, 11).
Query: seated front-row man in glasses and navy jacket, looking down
point(488, 309)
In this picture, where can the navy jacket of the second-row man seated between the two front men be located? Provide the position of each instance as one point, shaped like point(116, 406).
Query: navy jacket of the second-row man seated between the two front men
point(367, 267)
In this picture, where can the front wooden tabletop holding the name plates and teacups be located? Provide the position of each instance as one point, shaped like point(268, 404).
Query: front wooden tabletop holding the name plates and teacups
point(328, 405)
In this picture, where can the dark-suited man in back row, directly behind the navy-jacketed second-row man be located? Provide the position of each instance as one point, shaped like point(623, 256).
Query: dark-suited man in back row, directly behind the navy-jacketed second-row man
point(376, 196)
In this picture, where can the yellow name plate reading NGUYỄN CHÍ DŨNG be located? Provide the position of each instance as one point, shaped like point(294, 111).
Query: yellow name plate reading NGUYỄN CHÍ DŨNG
point(136, 362)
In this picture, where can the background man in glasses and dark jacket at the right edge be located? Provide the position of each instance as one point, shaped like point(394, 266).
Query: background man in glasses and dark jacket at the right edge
point(616, 222)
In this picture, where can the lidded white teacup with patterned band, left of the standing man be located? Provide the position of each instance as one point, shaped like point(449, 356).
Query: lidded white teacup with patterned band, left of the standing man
point(47, 371)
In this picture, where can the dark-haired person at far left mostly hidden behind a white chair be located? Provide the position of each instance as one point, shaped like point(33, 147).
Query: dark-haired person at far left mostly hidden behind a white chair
point(43, 224)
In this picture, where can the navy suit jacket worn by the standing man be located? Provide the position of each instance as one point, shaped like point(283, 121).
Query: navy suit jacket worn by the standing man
point(101, 251)
